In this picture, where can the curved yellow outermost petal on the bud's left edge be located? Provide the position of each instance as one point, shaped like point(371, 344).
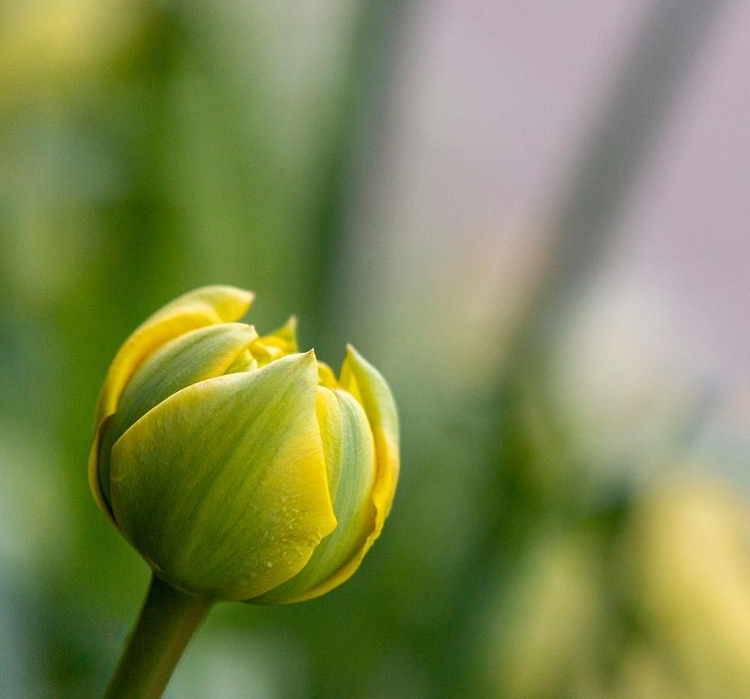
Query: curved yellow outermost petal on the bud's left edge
point(196, 309)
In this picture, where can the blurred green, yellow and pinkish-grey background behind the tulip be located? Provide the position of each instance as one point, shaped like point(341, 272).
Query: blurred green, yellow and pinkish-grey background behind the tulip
point(532, 217)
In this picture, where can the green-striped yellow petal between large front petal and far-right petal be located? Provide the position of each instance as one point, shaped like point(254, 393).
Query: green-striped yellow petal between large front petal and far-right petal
point(350, 463)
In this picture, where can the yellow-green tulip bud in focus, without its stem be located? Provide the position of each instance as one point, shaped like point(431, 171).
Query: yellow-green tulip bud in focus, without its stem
point(236, 466)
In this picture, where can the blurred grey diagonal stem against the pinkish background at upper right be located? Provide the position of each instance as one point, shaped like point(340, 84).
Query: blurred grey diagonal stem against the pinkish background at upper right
point(613, 156)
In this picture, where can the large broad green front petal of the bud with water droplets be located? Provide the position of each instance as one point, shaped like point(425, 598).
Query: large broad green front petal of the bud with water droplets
point(222, 487)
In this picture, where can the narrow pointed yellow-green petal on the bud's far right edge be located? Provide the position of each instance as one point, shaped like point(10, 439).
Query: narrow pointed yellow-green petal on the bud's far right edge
point(367, 385)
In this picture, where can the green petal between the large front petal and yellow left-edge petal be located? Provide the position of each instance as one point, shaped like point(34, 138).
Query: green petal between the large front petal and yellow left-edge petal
point(195, 356)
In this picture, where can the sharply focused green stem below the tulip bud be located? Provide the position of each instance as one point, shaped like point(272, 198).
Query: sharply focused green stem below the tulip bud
point(166, 623)
